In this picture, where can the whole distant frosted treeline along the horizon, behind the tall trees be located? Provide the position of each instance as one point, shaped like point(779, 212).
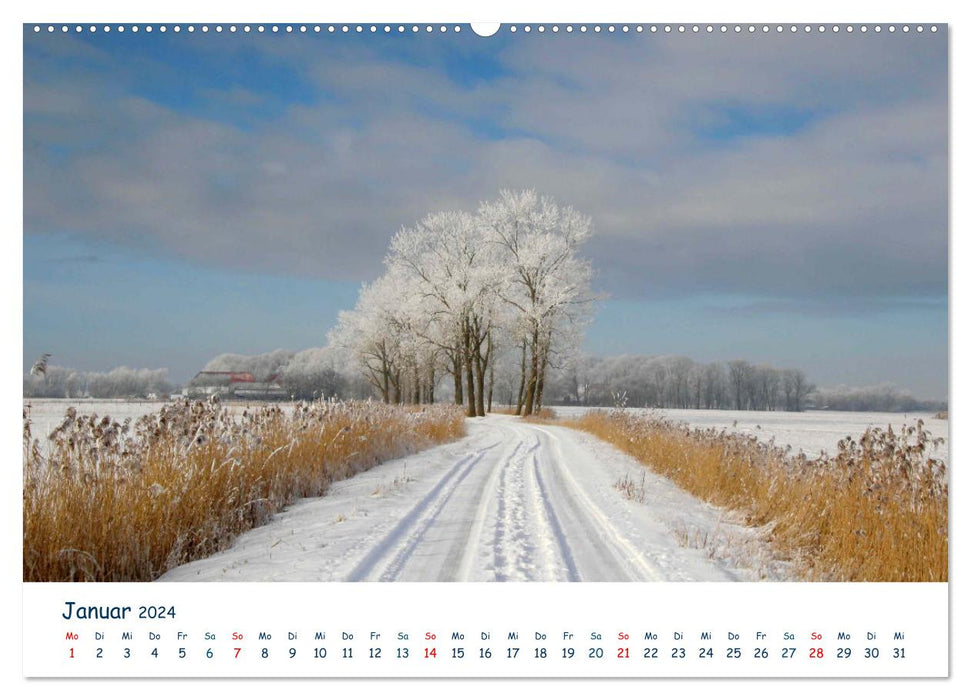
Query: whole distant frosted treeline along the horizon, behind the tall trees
point(631, 380)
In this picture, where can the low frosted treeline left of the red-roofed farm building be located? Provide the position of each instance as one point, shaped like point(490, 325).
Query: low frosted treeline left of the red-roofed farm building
point(119, 383)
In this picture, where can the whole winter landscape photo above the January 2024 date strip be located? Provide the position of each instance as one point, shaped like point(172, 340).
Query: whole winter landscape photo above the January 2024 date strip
point(571, 303)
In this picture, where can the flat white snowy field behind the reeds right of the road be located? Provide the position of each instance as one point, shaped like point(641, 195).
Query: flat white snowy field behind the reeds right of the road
point(812, 432)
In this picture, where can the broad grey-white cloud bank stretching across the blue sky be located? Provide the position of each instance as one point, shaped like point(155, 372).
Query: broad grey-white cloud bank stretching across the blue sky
point(608, 124)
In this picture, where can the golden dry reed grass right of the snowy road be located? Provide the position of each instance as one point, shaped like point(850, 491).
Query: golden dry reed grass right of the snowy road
point(875, 511)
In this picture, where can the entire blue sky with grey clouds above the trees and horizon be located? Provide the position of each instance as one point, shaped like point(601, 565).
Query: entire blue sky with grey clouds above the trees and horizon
point(779, 198)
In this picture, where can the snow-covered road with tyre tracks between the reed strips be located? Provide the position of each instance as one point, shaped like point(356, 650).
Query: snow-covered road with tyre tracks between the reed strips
point(510, 502)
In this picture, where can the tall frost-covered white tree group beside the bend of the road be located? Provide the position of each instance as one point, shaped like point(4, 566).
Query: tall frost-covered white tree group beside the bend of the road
point(460, 290)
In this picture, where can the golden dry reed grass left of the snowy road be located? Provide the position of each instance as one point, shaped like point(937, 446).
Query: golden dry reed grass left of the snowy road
point(126, 502)
